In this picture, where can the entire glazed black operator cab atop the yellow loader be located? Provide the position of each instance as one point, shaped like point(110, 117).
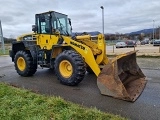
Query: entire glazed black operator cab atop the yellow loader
point(52, 23)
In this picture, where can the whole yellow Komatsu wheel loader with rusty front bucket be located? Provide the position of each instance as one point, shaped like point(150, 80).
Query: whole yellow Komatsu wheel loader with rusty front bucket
point(71, 56)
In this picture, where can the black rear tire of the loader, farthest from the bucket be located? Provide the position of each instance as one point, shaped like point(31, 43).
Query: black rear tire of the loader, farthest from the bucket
point(30, 67)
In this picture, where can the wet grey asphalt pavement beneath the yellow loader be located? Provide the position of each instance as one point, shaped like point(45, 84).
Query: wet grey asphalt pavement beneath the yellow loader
point(147, 107)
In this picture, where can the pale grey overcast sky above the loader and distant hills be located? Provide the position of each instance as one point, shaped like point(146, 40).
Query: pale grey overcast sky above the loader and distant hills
point(120, 16)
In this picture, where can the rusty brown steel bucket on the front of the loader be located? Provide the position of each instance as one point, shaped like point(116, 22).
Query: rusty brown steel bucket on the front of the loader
point(122, 78)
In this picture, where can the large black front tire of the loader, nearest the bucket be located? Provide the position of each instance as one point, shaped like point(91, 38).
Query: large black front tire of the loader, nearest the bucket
point(77, 66)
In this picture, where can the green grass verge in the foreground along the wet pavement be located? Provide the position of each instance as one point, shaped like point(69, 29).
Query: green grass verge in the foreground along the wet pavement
point(19, 104)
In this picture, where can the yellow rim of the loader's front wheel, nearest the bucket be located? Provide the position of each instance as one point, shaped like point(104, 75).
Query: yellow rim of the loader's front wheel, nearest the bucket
point(65, 68)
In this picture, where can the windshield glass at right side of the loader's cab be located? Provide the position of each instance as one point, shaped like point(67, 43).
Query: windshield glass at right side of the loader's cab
point(60, 22)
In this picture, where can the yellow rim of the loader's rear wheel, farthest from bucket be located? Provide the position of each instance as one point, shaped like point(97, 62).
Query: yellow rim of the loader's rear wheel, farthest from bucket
point(21, 63)
